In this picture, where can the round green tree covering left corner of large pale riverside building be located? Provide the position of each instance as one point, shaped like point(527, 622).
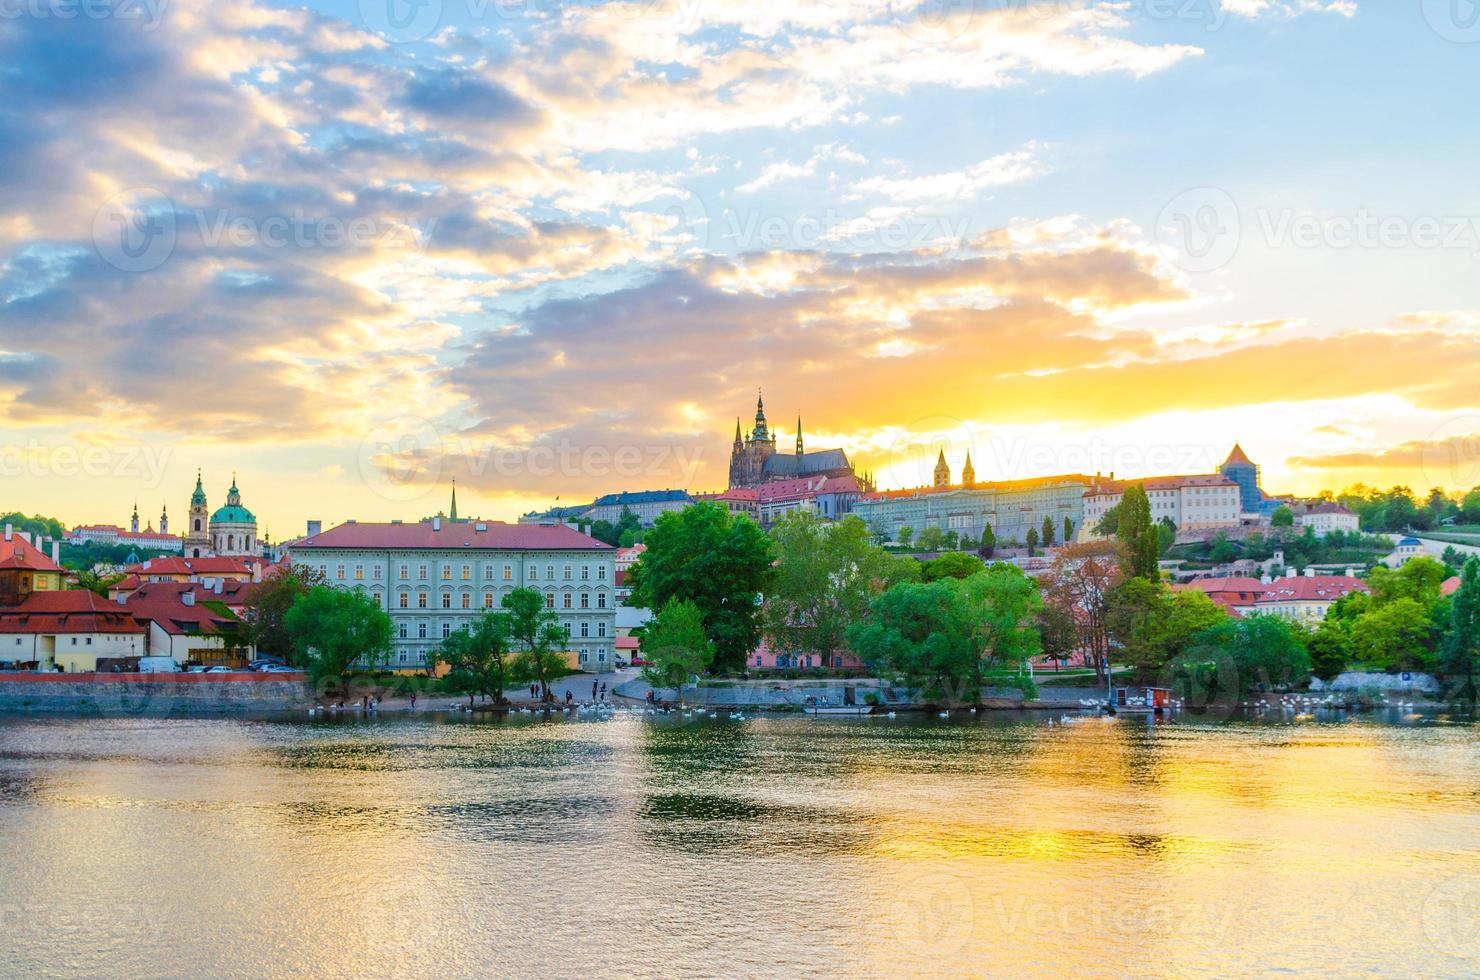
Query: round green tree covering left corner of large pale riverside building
point(335, 633)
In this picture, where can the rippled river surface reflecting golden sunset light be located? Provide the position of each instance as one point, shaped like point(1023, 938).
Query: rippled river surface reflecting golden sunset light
point(1001, 848)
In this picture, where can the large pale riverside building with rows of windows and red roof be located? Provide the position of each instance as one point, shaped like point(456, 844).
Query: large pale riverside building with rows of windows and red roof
point(439, 575)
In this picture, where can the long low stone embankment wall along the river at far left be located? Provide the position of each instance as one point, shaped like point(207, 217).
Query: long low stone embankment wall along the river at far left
point(153, 694)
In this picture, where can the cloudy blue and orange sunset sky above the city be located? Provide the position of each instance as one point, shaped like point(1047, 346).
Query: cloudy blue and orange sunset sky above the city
point(550, 249)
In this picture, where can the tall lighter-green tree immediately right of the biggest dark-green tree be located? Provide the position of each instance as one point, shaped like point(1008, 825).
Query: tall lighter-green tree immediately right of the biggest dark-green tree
point(827, 574)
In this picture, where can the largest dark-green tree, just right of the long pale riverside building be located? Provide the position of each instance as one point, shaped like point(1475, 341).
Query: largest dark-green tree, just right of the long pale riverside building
point(720, 563)
